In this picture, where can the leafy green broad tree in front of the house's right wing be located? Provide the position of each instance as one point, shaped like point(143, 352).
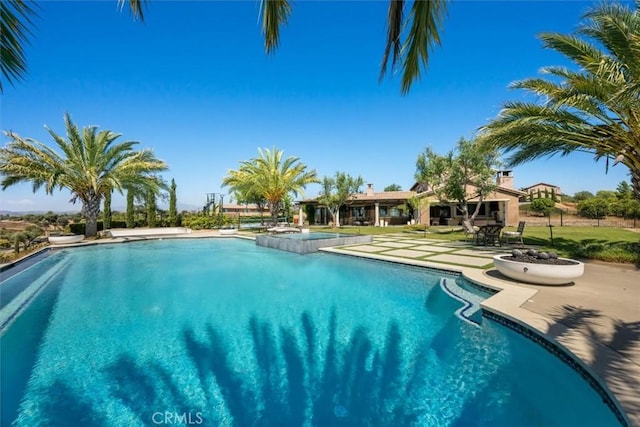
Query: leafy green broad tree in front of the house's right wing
point(463, 174)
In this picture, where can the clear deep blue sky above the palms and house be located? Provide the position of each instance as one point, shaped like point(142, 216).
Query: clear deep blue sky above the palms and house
point(193, 83)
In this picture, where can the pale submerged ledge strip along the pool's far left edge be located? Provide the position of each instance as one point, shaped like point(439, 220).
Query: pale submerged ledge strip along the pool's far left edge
point(22, 300)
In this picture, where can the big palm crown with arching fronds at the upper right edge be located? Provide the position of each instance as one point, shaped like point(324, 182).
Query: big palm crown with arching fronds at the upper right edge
point(595, 109)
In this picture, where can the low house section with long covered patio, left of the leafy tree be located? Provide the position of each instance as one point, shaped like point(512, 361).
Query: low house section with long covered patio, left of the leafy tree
point(368, 208)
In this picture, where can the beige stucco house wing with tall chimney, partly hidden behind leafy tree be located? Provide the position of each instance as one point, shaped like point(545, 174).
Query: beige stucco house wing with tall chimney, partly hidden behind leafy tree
point(500, 206)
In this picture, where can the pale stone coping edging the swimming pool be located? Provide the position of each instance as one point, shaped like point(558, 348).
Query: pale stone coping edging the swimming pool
point(506, 303)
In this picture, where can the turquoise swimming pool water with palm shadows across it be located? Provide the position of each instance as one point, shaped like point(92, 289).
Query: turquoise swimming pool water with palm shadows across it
point(222, 332)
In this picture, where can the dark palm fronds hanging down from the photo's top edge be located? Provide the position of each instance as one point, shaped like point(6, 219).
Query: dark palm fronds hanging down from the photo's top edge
point(421, 27)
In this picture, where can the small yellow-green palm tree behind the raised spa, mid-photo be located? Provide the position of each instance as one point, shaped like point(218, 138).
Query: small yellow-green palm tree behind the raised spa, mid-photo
point(270, 177)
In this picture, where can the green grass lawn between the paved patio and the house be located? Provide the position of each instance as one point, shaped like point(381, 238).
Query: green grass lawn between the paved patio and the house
point(597, 243)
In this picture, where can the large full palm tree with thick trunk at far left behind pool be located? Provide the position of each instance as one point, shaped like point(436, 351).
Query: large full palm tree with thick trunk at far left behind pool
point(91, 164)
